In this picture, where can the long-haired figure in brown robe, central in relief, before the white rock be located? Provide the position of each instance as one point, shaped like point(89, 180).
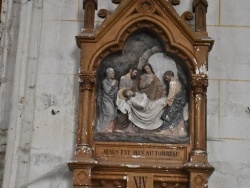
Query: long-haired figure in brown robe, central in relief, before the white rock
point(150, 84)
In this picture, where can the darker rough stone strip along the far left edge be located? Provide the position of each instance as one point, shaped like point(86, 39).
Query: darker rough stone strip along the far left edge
point(8, 33)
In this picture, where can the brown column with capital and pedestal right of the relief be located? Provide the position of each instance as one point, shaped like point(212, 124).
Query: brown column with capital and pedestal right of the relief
point(198, 167)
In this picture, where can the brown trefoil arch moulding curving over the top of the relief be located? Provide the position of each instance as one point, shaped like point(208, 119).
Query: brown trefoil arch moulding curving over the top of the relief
point(152, 25)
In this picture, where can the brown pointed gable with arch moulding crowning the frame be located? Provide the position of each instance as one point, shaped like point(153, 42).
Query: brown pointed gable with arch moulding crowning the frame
point(158, 16)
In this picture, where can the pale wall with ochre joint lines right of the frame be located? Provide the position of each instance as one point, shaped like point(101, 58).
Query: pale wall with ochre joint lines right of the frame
point(228, 98)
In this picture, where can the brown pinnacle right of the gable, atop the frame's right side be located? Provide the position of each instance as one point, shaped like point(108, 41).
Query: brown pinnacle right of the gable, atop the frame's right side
point(200, 10)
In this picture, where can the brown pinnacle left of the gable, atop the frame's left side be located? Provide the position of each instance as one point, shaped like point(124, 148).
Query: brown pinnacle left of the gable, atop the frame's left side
point(89, 18)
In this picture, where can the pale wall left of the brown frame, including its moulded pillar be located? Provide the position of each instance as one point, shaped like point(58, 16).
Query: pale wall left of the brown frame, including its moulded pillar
point(41, 111)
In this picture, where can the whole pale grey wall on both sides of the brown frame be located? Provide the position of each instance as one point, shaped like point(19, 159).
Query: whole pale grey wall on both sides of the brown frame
point(39, 90)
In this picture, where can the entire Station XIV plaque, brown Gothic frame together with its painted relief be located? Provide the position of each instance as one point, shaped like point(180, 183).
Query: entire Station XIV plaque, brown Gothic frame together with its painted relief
point(142, 97)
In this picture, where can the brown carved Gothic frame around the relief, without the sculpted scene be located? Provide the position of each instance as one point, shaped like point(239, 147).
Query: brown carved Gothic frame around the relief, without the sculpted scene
point(90, 168)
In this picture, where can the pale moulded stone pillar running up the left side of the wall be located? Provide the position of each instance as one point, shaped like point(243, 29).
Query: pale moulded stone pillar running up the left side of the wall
point(25, 58)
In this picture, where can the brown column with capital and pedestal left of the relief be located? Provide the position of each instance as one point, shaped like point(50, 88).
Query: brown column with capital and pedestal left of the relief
point(83, 161)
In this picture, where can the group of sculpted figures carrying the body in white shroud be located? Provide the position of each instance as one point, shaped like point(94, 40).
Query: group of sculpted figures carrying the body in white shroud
point(141, 105)
